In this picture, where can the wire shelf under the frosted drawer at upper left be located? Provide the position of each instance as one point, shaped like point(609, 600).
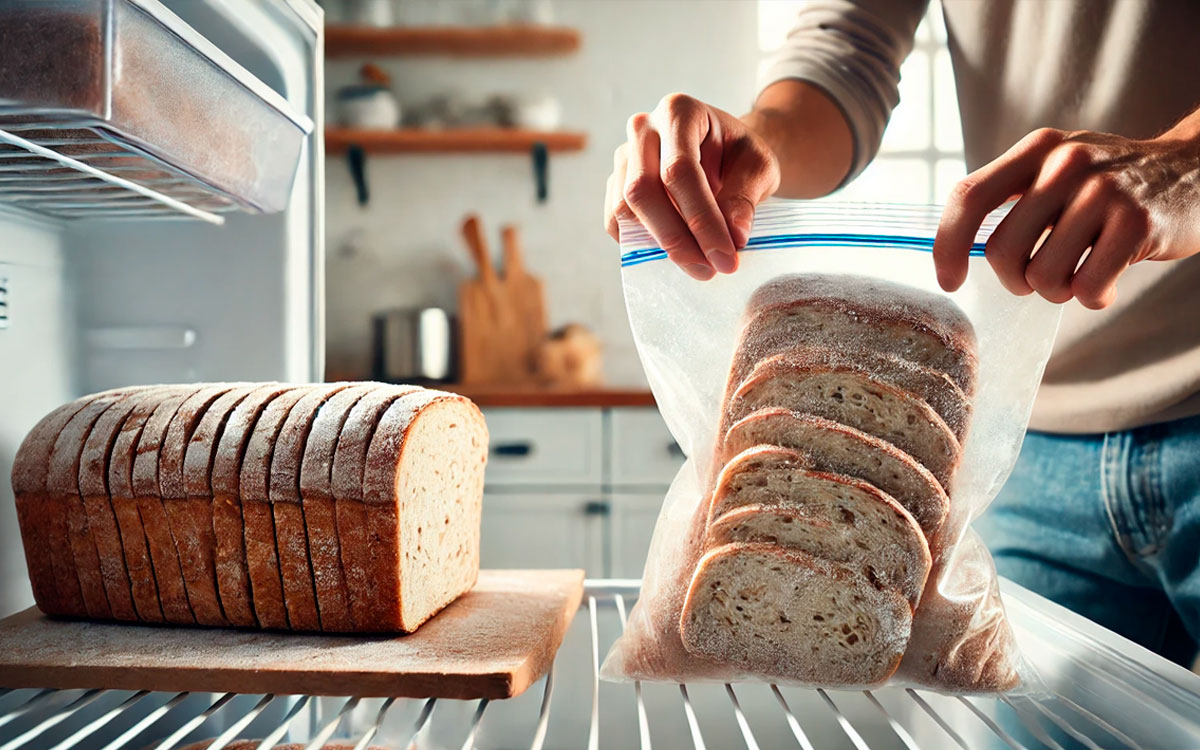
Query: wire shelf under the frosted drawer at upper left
point(73, 171)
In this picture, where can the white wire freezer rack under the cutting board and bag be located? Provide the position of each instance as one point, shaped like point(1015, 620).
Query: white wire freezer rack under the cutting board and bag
point(573, 709)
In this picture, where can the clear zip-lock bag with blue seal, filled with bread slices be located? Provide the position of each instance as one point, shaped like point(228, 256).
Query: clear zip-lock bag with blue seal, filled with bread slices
point(845, 421)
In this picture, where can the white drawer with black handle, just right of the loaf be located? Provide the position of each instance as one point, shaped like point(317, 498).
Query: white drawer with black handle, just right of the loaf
point(545, 447)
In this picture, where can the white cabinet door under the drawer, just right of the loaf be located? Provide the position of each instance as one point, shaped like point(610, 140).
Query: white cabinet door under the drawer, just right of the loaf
point(545, 531)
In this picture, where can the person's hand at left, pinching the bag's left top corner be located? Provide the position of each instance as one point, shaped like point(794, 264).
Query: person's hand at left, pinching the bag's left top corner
point(692, 175)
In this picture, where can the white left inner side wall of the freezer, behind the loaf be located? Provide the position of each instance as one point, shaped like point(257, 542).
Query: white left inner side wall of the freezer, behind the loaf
point(35, 369)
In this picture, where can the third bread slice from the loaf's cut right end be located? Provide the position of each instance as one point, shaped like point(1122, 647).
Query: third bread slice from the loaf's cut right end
point(320, 514)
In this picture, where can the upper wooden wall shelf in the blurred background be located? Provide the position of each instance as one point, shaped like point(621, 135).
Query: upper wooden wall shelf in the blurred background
point(517, 41)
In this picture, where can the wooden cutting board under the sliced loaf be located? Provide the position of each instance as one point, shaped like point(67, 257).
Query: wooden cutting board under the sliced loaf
point(494, 643)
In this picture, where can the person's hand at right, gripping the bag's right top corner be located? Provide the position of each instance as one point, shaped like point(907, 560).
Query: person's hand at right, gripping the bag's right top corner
point(1117, 200)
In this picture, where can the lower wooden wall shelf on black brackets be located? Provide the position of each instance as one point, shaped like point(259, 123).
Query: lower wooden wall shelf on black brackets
point(454, 140)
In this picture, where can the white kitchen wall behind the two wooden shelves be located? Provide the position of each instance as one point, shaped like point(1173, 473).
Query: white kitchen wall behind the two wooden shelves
point(405, 249)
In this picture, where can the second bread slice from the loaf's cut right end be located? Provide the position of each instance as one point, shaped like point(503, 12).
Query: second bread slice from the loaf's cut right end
point(353, 533)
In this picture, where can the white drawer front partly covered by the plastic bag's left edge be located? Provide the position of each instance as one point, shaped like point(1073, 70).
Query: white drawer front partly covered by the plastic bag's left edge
point(643, 451)
